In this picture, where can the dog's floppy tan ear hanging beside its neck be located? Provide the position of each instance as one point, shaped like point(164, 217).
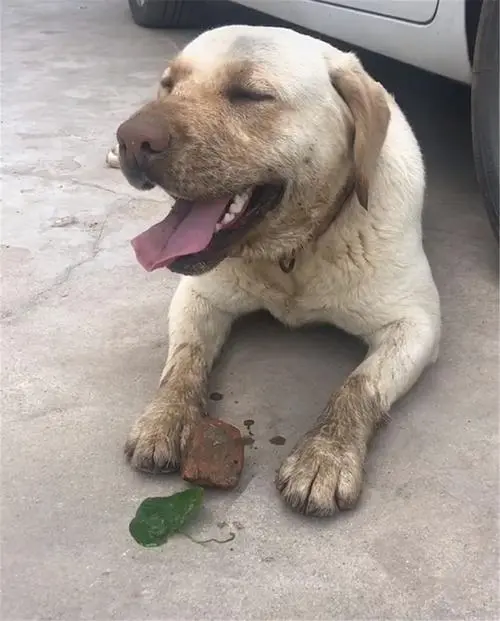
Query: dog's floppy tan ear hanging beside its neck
point(367, 101)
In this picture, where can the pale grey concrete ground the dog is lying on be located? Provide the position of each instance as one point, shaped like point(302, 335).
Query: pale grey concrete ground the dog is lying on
point(84, 340)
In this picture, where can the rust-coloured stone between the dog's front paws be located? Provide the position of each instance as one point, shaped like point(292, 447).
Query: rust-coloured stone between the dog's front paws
point(214, 455)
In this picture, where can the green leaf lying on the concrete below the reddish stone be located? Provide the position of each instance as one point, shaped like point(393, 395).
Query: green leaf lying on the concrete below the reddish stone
point(160, 517)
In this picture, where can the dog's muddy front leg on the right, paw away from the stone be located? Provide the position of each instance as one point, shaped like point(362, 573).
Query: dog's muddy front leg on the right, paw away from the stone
point(325, 469)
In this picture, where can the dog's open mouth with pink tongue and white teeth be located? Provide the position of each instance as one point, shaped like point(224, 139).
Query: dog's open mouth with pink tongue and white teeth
point(198, 234)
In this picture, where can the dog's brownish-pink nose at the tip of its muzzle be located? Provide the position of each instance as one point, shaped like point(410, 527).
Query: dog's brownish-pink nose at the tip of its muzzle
point(141, 137)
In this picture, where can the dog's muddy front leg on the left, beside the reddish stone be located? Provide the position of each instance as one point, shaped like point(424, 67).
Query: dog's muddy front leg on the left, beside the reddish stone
point(197, 331)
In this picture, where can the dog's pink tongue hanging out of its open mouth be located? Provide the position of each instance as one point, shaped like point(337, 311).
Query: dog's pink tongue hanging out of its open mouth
point(187, 229)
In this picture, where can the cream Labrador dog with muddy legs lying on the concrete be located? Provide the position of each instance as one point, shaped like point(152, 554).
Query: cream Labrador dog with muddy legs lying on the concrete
point(298, 187)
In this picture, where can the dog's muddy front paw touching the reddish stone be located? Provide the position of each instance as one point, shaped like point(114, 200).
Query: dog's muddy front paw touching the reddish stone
point(156, 441)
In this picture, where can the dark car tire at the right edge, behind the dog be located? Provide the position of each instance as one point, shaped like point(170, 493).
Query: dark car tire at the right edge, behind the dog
point(484, 104)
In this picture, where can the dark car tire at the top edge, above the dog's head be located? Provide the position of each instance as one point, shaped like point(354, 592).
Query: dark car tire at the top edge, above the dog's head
point(179, 13)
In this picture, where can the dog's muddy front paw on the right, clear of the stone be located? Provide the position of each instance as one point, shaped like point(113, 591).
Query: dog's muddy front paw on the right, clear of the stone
point(321, 477)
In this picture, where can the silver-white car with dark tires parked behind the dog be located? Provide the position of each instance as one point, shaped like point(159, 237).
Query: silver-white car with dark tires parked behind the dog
point(457, 39)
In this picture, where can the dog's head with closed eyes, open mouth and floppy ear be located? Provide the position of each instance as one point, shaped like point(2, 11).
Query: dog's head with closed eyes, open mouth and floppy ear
point(254, 132)
